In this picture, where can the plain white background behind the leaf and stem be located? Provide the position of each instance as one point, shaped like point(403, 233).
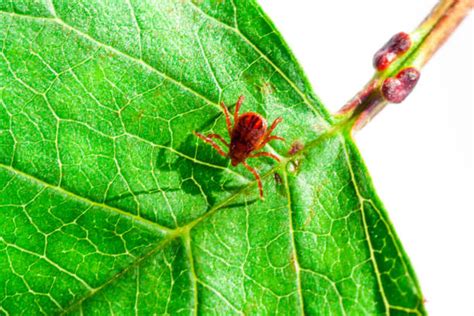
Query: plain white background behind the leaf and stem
point(419, 152)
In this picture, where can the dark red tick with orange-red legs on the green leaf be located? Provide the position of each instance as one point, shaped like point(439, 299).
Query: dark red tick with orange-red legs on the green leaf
point(248, 134)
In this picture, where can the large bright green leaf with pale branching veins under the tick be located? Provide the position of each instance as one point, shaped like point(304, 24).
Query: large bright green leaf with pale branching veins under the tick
point(110, 204)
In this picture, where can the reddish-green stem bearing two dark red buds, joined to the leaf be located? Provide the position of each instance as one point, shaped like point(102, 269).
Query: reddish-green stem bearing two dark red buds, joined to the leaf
point(399, 61)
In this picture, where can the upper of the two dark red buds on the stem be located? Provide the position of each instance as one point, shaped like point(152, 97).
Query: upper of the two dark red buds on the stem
point(395, 47)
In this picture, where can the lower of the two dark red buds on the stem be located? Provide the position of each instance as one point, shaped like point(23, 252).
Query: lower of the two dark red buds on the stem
point(396, 89)
